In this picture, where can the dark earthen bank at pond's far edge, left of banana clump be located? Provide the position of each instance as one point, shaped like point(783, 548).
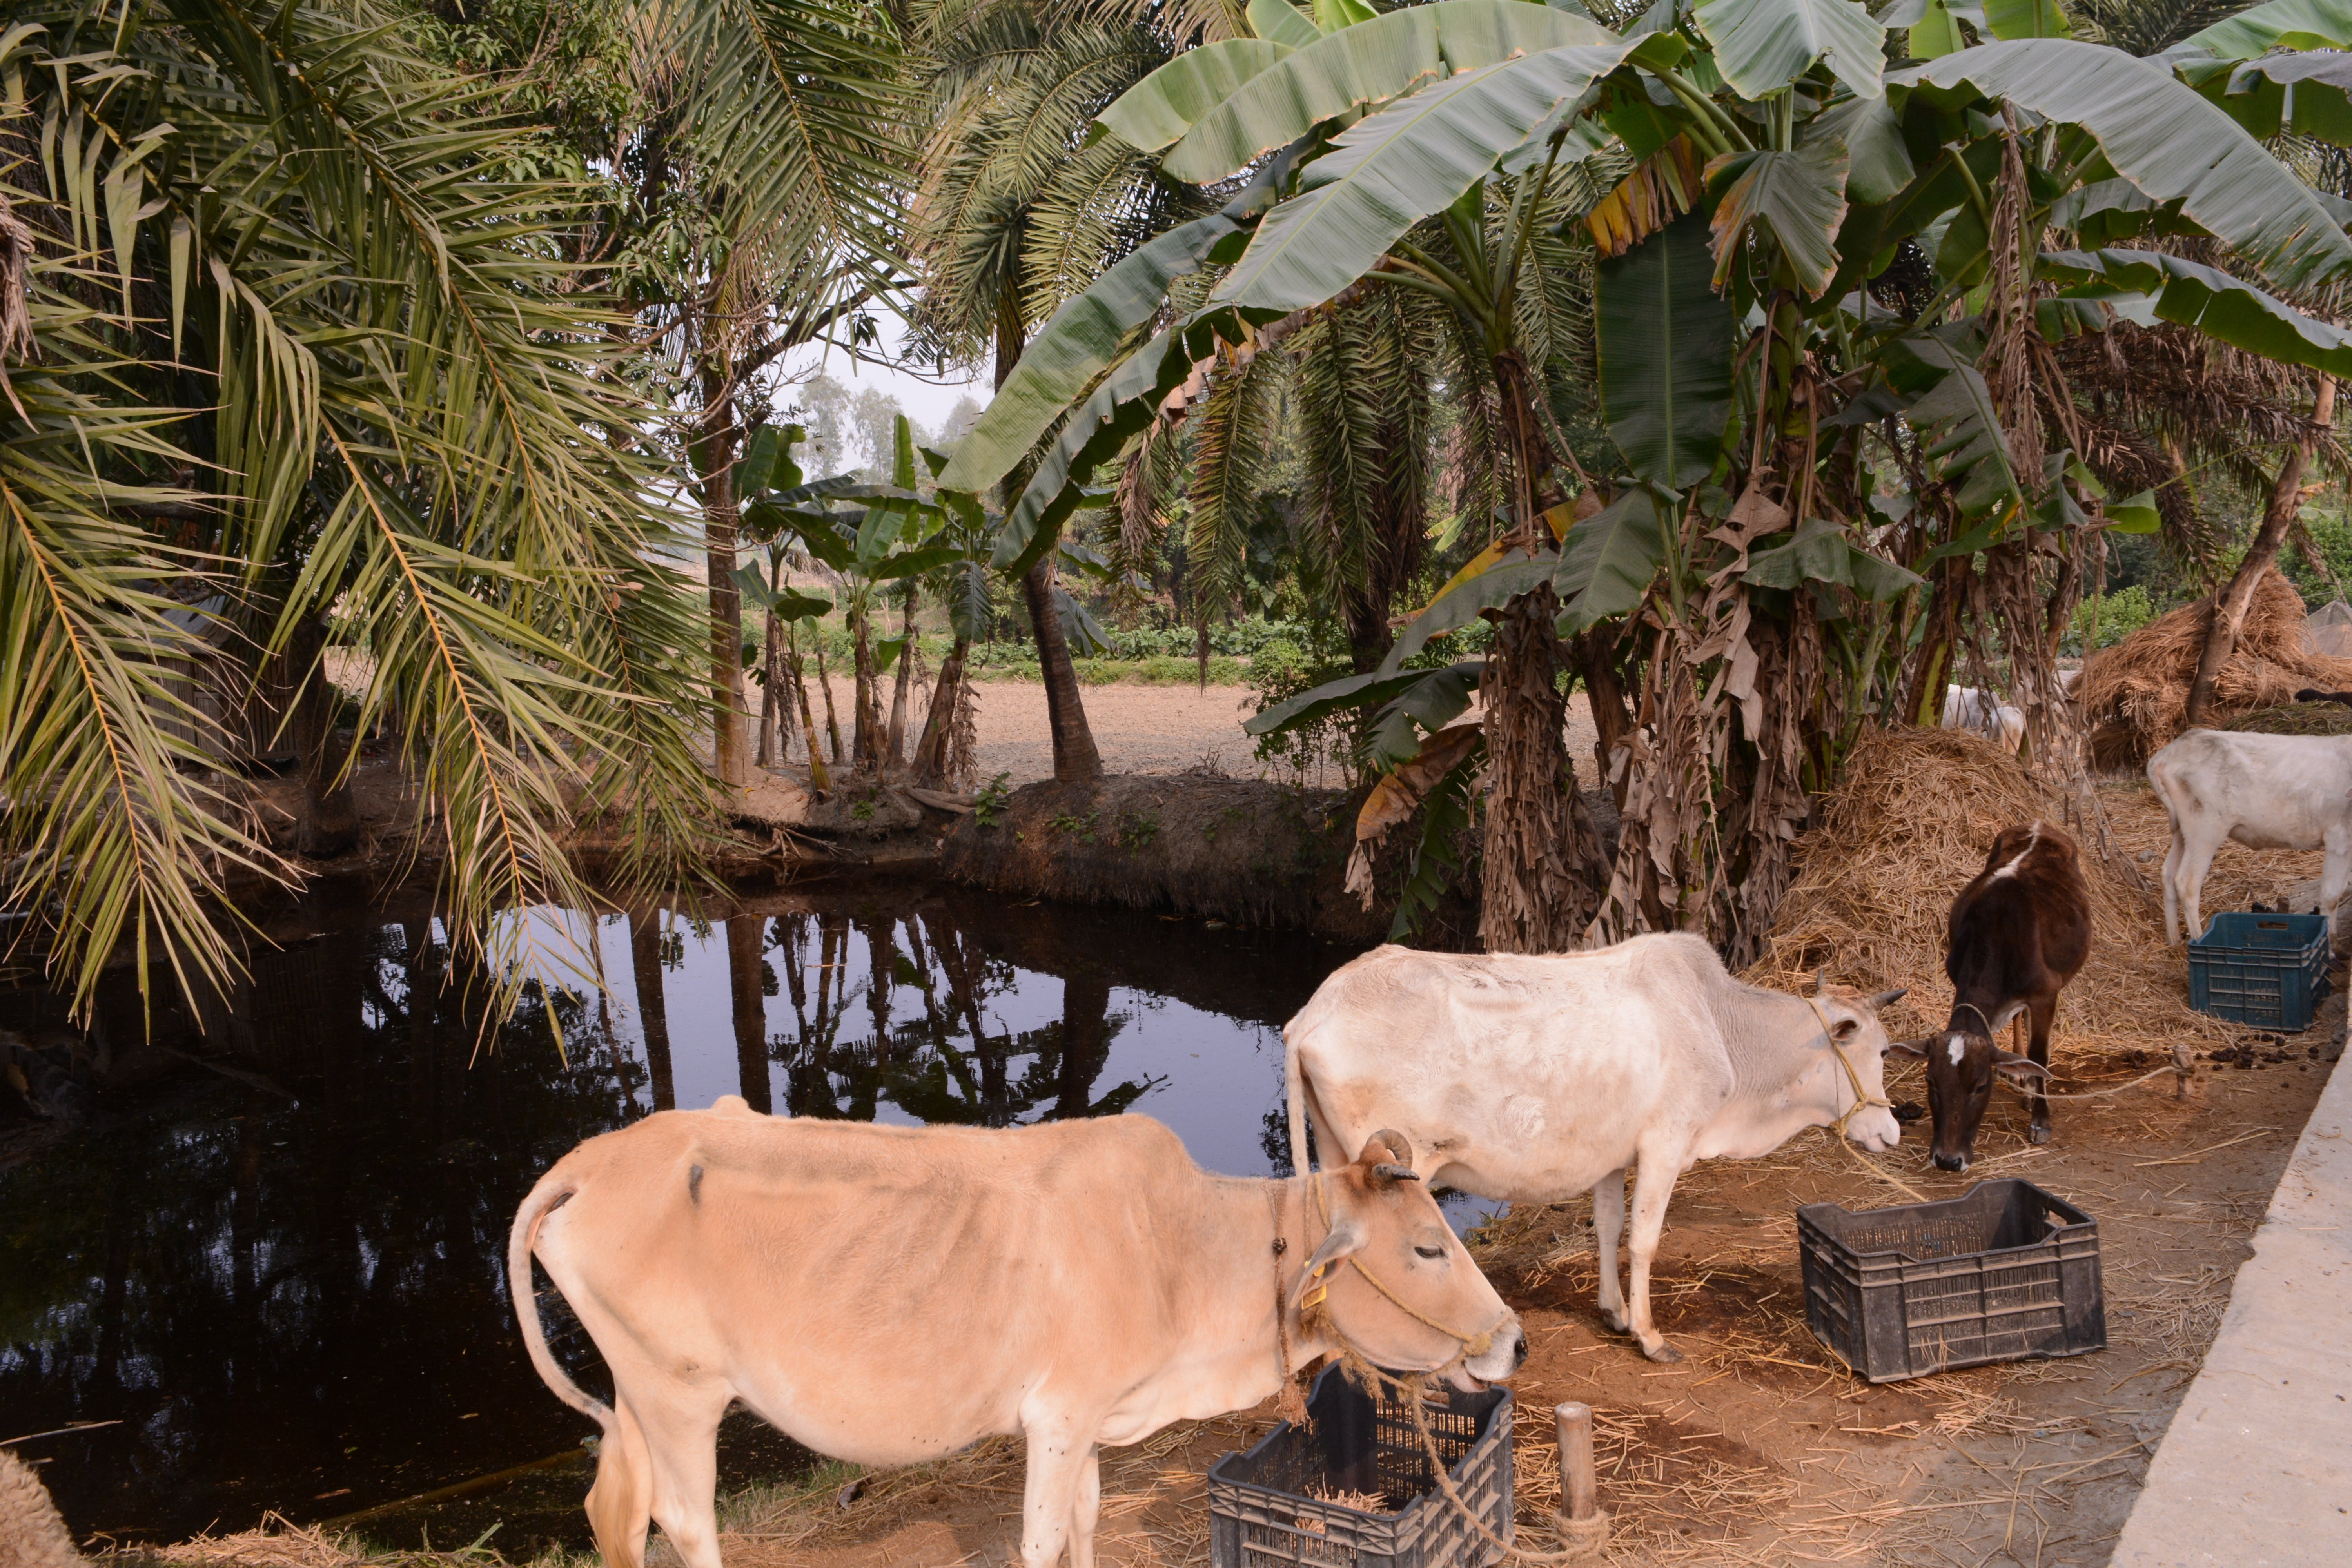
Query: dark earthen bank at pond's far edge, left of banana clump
point(1241, 850)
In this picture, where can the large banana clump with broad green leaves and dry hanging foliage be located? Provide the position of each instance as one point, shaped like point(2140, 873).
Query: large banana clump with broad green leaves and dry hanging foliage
point(1810, 478)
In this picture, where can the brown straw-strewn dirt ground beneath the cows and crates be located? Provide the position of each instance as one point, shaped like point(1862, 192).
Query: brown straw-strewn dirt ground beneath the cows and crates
point(1758, 1447)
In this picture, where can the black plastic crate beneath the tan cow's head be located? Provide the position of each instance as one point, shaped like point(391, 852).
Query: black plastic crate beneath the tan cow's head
point(1262, 1513)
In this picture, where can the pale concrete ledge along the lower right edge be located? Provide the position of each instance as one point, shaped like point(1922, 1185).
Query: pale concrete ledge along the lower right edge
point(2257, 1468)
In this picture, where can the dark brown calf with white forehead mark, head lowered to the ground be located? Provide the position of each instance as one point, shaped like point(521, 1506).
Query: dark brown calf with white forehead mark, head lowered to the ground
point(2017, 937)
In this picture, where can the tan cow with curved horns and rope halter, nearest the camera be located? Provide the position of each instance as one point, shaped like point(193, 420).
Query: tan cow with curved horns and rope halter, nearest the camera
point(895, 1294)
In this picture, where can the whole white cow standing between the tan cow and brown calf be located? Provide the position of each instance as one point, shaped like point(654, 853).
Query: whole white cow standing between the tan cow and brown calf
point(1544, 1078)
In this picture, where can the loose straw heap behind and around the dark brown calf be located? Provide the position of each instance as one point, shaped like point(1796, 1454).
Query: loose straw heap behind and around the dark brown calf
point(1909, 829)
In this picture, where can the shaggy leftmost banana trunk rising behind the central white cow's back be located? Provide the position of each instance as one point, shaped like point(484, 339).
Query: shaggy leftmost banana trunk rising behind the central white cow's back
point(1542, 855)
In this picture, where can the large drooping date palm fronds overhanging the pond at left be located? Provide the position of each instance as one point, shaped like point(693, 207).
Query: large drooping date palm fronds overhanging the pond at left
point(286, 330)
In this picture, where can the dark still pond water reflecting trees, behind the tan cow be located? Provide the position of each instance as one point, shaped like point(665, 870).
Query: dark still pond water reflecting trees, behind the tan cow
point(272, 1249)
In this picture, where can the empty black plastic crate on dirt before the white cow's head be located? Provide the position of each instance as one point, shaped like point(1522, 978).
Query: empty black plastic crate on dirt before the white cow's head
point(2005, 1273)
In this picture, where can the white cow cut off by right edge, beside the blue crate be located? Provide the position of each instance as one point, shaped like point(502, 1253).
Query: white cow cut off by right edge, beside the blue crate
point(2261, 791)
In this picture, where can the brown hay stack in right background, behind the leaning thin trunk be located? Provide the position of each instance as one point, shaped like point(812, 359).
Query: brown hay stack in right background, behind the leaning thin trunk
point(2137, 695)
